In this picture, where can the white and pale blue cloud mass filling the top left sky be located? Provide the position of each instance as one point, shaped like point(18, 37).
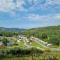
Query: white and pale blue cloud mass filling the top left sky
point(9, 5)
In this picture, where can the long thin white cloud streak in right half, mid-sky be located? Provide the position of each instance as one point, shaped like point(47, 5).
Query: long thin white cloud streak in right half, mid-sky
point(35, 17)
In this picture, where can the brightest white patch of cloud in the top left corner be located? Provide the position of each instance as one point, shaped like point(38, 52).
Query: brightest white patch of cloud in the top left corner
point(6, 5)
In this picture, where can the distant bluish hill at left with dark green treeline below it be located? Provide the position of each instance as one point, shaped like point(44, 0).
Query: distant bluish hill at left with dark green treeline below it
point(9, 32)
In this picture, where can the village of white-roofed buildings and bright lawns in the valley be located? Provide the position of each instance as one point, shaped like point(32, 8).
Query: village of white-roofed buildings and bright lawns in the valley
point(24, 42)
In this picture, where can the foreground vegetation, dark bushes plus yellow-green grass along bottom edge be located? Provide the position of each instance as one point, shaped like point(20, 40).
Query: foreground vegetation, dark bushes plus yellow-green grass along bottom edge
point(21, 53)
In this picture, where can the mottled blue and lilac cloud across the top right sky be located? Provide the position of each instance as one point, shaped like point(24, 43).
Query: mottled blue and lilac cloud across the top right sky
point(44, 4)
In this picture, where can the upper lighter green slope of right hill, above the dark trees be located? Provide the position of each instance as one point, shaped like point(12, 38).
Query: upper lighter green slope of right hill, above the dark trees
point(44, 31)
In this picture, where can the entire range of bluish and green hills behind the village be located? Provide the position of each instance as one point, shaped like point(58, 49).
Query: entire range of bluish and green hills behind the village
point(49, 34)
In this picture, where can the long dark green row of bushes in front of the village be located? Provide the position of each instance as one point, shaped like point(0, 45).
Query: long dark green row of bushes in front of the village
point(19, 52)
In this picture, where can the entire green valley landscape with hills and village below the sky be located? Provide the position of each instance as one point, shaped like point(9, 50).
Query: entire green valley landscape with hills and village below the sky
point(30, 44)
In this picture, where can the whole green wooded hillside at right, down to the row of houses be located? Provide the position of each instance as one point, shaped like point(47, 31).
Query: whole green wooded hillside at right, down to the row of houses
point(49, 34)
